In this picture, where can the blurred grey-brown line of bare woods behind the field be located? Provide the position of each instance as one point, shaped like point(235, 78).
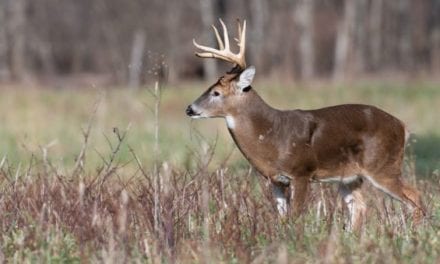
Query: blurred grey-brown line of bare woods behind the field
point(129, 40)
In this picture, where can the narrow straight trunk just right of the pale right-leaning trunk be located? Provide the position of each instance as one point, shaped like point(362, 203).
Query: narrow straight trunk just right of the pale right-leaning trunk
point(375, 39)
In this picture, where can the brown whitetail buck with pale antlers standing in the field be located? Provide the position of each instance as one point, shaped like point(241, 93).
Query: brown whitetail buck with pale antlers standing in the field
point(344, 144)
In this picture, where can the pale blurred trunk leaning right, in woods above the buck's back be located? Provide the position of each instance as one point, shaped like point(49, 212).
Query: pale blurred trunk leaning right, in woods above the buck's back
point(344, 40)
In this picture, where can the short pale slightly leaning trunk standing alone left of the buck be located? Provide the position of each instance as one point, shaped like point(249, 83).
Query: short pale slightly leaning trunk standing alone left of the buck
point(137, 51)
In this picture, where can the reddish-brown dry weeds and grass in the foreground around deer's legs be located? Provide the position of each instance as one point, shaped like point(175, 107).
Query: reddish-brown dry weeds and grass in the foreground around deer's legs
point(193, 216)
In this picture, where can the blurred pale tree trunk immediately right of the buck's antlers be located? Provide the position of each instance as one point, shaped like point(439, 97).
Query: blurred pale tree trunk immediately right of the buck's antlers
point(258, 11)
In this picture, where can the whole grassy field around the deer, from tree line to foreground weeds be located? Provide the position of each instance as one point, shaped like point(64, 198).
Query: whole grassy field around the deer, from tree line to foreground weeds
point(116, 197)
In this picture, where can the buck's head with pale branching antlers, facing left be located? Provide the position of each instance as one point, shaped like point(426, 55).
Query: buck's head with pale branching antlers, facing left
point(225, 96)
